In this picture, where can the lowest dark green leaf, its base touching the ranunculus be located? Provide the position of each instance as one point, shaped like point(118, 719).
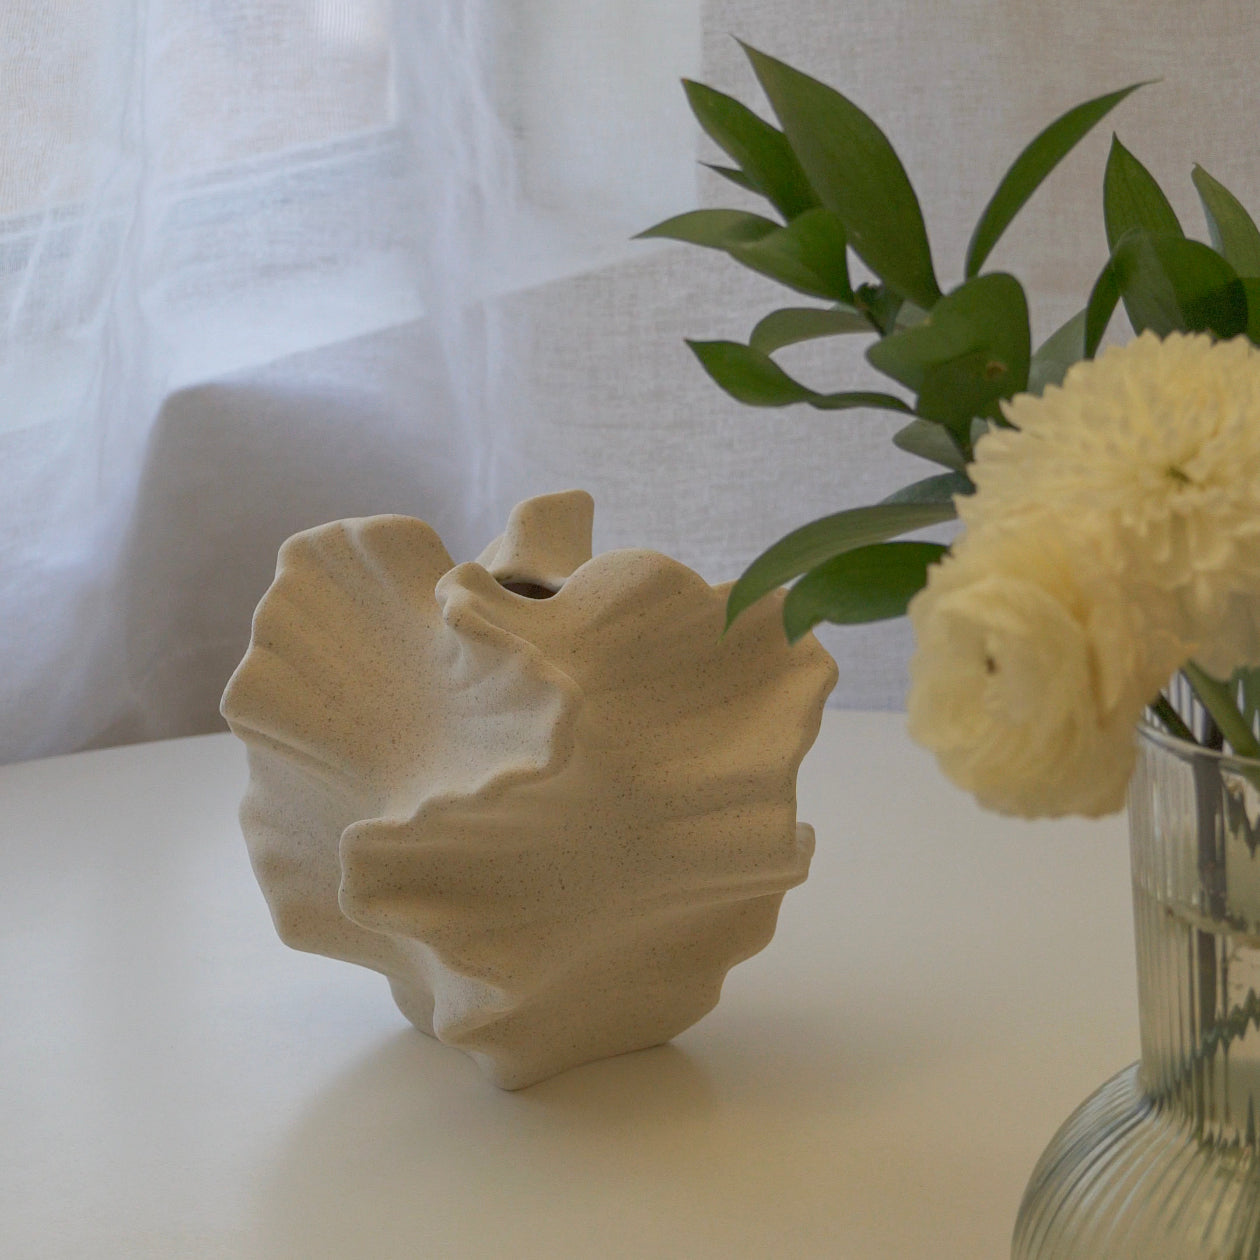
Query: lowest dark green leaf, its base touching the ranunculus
point(869, 584)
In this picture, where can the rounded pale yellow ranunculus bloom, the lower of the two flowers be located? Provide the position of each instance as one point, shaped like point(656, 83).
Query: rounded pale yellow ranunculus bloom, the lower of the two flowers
point(1029, 676)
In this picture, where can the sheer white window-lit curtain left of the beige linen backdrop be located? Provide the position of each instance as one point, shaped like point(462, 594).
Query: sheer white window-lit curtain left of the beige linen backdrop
point(254, 254)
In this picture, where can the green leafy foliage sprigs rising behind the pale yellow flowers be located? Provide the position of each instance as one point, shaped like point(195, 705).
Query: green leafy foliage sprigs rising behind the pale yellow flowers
point(839, 190)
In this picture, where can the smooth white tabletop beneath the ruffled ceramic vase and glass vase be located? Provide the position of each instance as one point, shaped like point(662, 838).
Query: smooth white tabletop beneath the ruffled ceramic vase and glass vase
point(878, 1083)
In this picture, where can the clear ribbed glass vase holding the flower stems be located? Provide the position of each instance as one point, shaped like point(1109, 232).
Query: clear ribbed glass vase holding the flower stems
point(1162, 1164)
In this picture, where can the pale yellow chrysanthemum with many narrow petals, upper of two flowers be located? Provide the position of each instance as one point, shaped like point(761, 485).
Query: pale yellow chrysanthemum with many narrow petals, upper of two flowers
point(1154, 453)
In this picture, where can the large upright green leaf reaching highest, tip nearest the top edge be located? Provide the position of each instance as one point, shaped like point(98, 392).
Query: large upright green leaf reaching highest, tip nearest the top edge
point(856, 173)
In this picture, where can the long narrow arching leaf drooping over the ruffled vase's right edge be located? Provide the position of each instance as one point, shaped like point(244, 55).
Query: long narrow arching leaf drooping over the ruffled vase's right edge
point(820, 541)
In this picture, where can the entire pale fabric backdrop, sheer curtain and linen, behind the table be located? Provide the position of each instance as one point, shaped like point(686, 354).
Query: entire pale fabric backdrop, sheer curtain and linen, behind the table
point(270, 263)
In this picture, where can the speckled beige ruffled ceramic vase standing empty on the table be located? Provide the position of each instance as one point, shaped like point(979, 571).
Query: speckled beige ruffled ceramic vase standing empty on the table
point(542, 792)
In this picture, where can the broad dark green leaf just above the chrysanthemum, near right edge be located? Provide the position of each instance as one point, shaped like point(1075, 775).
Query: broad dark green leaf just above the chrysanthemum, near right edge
point(1170, 284)
